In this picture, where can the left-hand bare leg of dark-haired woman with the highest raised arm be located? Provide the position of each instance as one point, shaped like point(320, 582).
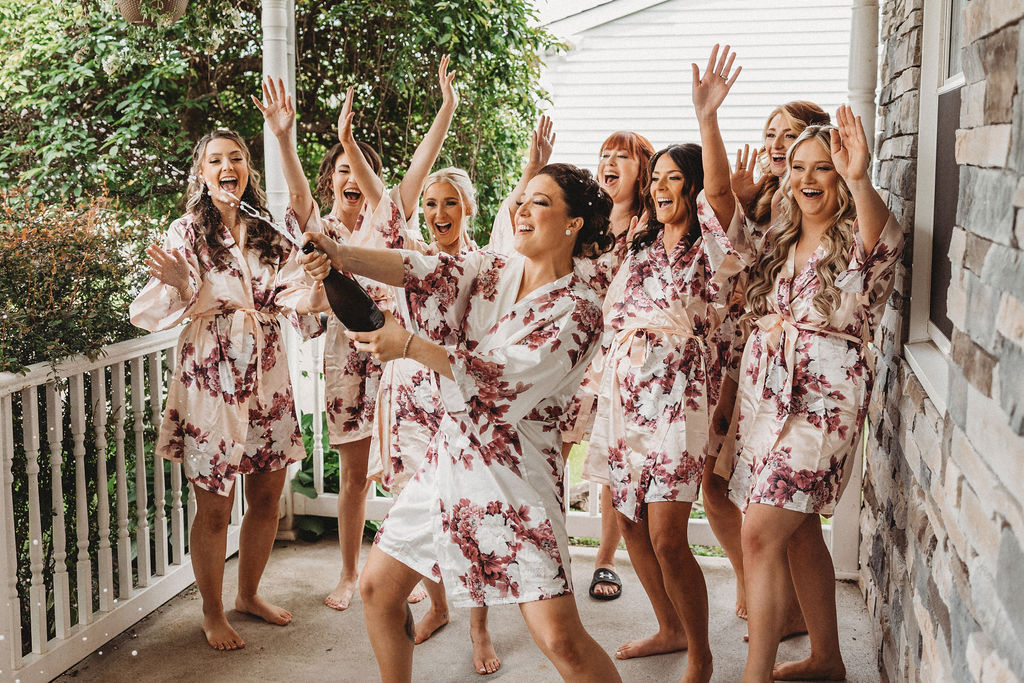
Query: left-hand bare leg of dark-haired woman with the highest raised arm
point(671, 636)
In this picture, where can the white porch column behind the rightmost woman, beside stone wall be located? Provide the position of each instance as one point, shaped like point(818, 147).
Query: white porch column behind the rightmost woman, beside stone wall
point(863, 80)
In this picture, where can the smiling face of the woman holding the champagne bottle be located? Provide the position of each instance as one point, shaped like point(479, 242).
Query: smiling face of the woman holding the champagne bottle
point(542, 220)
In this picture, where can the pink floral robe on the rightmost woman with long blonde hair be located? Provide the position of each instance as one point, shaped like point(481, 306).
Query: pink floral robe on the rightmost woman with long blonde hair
point(805, 382)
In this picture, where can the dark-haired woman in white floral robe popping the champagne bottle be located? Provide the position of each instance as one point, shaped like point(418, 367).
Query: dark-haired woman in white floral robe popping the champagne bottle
point(510, 338)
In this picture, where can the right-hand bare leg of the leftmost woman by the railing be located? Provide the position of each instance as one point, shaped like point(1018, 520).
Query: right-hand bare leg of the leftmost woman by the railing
point(260, 527)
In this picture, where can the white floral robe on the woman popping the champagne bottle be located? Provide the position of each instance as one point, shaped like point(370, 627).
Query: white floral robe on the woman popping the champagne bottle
point(486, 509)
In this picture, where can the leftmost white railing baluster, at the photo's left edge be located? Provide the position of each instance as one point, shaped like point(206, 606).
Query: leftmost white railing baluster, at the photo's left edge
point(12, 646)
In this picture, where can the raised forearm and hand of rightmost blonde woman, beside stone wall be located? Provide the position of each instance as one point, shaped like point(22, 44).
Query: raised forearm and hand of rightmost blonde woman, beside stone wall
point(852, 160)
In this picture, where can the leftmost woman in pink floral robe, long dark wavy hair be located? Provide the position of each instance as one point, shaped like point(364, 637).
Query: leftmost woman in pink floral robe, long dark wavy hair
point(230, 408)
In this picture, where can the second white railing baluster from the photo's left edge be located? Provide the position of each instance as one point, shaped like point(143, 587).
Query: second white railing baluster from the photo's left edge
point(37, 590)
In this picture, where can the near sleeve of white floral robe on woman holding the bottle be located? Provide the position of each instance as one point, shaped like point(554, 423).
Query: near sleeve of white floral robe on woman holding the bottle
point(506, 383)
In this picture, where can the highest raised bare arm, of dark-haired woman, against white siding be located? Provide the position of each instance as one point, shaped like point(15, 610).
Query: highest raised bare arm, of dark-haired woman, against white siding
point(709, 94)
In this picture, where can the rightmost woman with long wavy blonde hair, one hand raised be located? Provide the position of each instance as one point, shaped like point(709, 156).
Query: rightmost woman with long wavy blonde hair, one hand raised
point(825, 274)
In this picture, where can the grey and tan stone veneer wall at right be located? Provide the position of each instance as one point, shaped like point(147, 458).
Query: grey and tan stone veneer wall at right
point(943, 526)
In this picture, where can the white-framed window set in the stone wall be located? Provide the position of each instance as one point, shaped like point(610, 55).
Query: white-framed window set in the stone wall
point(937, 191)
